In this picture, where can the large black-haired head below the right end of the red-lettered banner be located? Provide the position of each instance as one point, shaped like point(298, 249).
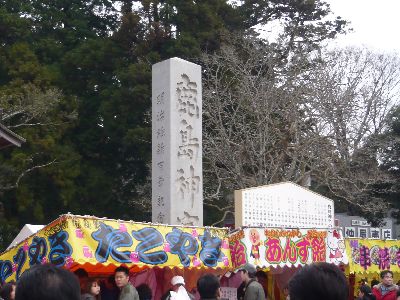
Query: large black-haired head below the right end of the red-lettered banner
point(318, 281)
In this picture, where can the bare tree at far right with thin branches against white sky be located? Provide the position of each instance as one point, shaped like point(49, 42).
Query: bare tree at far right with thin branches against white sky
point(353, 92)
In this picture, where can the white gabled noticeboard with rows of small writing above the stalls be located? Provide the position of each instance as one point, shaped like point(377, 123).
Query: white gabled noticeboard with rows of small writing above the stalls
point(285, 205)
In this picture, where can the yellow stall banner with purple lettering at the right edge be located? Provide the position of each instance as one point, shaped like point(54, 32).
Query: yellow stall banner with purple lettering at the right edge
point(373, 256)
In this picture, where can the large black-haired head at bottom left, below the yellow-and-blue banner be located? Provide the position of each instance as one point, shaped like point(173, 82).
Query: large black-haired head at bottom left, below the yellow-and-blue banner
point(47, 282)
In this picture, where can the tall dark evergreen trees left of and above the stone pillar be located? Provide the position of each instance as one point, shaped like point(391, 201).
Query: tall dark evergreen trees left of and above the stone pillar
point(75, 81)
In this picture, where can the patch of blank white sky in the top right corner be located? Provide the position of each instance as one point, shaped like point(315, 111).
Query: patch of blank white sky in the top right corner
point(376, 23)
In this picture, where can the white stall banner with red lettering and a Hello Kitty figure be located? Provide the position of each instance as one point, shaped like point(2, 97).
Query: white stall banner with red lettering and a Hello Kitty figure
point(286, 247)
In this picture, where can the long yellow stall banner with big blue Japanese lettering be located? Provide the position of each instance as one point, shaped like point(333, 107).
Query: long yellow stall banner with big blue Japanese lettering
point(72, 240)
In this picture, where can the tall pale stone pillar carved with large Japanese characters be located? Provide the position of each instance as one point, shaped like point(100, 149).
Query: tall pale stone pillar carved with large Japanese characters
point(177, 179)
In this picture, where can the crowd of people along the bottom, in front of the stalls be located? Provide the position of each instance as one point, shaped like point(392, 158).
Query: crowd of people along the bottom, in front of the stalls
point(311, 282)
